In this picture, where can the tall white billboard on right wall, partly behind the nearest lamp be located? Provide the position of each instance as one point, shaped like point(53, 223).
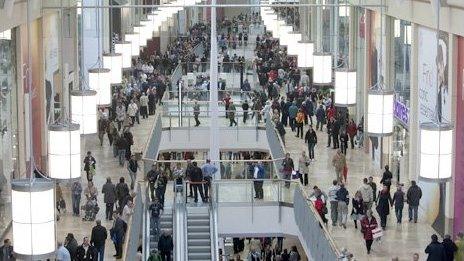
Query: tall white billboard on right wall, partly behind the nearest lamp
point(434, 101)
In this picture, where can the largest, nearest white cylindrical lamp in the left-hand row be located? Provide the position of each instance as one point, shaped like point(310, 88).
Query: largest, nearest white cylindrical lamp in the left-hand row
point(33, 218)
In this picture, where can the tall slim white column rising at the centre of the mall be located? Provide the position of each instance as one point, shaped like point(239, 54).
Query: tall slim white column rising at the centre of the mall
point(213, 94)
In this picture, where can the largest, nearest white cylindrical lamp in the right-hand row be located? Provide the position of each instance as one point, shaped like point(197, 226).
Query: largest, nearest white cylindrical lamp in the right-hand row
point(436, 151)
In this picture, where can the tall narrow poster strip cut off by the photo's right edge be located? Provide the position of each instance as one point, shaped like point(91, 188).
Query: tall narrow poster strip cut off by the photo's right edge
point(458, 224)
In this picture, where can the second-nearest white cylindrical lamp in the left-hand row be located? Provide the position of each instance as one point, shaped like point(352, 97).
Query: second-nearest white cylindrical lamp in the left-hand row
point(64, 151)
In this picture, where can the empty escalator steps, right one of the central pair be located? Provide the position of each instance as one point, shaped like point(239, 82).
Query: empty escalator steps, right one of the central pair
point(198, 233)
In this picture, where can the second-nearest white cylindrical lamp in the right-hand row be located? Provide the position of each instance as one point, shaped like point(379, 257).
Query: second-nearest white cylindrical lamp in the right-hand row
point(380, 113)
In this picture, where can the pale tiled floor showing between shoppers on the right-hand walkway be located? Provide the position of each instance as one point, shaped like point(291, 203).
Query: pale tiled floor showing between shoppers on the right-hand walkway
point(399, 240)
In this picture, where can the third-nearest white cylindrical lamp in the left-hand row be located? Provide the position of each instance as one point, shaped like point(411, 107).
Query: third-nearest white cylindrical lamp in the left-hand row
point(84, 110)
